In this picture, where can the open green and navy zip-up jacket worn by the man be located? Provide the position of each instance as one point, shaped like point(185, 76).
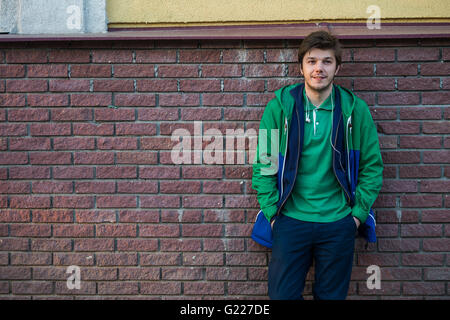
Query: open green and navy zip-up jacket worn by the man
point(357, 161)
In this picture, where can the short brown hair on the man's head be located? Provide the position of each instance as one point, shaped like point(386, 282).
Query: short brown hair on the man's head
point(321, 40)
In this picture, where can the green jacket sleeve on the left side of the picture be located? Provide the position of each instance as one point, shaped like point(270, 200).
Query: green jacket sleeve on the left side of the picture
point(265, 164)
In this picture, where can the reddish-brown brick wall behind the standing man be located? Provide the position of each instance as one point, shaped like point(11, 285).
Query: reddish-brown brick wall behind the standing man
point(87, 179)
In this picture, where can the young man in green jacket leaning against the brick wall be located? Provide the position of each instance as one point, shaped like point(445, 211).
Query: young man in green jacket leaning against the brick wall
point(328, 174)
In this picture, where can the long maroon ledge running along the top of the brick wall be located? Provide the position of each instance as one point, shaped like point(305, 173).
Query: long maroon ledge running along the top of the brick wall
point(344, 31)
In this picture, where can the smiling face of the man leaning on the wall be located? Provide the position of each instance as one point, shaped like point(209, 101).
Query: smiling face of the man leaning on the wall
point(319, 68)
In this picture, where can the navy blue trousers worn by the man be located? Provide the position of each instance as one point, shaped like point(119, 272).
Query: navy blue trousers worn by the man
point(296, 244)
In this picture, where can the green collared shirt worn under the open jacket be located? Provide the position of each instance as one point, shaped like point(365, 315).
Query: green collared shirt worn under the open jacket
point(317, 195)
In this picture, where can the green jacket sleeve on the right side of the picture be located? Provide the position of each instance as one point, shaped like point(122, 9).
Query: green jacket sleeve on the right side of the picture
point(370, 172)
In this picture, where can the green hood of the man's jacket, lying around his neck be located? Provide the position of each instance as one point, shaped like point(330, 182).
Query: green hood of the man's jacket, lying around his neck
point(286, 101)
